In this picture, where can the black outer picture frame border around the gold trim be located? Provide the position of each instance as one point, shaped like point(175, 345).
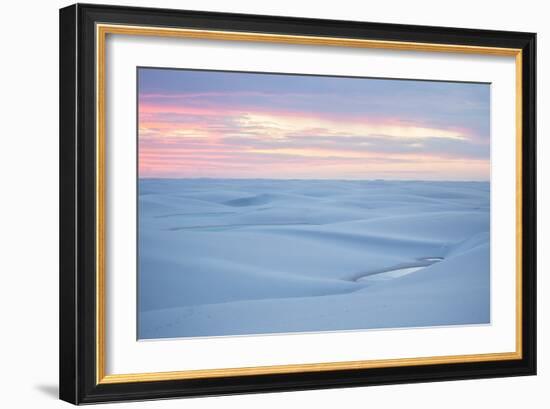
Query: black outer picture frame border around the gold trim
point(78, 309)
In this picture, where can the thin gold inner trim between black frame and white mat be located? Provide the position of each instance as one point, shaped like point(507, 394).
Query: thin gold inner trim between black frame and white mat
point(101, 32)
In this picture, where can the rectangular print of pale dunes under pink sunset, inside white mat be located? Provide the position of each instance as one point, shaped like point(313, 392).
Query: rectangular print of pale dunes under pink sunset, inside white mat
point(278, 203)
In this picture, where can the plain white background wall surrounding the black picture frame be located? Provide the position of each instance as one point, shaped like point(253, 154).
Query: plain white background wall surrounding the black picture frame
point(29, 205)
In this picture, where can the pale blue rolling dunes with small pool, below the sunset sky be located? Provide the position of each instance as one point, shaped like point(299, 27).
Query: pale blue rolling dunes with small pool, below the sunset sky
point(234, 257)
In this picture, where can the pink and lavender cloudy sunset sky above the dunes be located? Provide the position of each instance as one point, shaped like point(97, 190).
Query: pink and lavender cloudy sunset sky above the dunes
point(212, 124)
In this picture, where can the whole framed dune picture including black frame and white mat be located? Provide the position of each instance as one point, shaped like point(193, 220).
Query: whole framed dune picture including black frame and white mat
point(257, 203)
